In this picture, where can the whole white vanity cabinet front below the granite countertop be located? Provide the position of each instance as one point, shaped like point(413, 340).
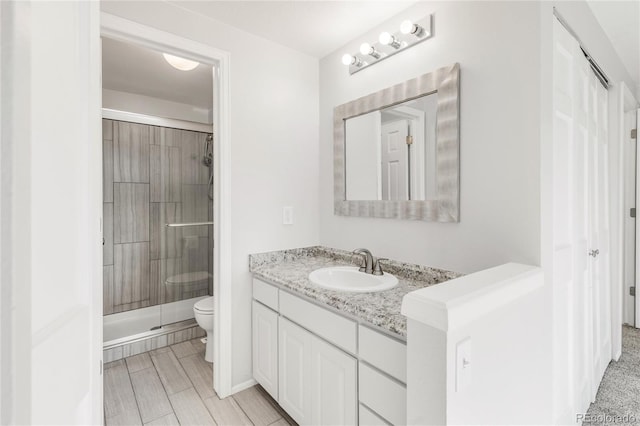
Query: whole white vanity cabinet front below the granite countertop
point(321, 358)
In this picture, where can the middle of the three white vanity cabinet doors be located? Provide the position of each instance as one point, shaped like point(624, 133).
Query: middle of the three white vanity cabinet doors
point(295, 371)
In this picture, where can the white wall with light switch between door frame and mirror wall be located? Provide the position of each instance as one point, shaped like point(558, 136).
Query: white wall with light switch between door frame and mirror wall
point(273, 120)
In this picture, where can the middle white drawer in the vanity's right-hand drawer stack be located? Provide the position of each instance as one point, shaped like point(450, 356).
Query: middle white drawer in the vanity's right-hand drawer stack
point(385, 396)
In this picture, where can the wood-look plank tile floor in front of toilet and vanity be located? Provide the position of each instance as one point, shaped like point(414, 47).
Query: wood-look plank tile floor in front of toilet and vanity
point(172, 386)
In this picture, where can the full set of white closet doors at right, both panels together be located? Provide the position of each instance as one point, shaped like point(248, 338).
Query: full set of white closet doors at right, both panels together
point(582, 318)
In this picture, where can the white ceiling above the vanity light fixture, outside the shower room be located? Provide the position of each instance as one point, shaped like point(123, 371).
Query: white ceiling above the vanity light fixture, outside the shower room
point(313, 27)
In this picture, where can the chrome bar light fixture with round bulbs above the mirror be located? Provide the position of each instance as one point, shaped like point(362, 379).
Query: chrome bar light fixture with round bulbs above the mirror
point(388, 44)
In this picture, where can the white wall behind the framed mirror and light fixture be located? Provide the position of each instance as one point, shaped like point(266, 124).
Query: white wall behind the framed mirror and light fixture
point(497, 47)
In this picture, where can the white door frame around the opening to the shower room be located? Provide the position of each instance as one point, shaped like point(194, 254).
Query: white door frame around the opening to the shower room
point(127, 31)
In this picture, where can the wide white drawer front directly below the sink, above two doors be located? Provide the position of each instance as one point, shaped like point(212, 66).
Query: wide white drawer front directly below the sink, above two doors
point(335, 328)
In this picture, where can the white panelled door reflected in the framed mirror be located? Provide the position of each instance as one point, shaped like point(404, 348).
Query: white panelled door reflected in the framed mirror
point(394, 161)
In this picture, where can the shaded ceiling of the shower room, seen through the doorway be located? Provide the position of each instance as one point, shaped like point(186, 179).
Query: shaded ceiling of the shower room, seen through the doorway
point(134, 69)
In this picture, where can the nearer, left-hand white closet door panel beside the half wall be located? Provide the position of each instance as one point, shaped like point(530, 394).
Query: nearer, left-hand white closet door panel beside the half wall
point(571, 224)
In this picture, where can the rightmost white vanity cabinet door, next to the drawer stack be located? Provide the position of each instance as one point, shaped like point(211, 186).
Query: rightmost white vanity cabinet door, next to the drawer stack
point(333, 385)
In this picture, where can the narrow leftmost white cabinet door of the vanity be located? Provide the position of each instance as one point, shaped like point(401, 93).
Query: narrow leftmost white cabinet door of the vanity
point(265, 348)
